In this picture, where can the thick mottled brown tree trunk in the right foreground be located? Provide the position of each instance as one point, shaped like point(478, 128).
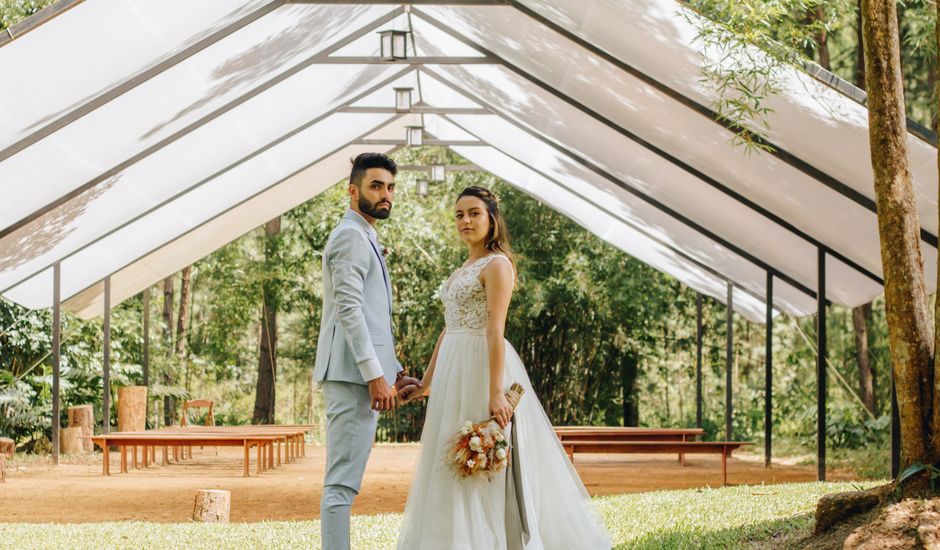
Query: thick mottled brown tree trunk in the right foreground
point(910, 332)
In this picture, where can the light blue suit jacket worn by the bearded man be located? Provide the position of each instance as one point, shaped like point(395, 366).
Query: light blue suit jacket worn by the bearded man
point(356, 343)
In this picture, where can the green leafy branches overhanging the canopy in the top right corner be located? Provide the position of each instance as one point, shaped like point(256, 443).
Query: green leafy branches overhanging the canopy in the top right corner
point(748, 42)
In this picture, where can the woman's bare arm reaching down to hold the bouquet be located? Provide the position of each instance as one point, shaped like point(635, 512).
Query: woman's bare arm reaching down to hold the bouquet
point(497, 280)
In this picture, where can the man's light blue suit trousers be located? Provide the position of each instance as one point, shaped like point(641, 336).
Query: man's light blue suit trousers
point(350, 432)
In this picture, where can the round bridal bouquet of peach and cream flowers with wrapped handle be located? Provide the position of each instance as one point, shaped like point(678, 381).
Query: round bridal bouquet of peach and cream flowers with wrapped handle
point(481, 449)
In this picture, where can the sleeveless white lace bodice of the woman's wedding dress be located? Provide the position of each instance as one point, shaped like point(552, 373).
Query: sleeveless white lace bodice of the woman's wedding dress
point(465, 298)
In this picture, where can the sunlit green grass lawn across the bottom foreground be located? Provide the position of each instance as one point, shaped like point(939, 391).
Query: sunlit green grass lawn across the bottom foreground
point(734, 517)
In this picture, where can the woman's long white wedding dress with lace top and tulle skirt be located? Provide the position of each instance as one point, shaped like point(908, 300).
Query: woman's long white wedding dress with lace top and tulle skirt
point(445, 512)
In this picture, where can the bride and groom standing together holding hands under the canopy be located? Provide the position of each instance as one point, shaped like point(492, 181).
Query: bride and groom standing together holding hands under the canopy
point(538, 503)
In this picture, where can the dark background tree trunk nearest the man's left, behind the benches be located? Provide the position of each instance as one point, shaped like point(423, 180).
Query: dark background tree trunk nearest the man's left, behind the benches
point(267, 349)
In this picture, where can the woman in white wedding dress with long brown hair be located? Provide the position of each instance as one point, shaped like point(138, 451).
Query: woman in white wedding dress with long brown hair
point(540, 501)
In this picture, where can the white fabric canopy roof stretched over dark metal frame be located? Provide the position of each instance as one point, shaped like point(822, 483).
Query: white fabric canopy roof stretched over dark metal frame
point(137, 137)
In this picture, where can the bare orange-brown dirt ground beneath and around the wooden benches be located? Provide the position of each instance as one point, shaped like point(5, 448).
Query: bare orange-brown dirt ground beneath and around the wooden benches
point(77, 493)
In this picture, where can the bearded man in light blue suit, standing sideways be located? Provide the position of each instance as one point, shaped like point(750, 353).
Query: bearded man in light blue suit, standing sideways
point(356, 364)
